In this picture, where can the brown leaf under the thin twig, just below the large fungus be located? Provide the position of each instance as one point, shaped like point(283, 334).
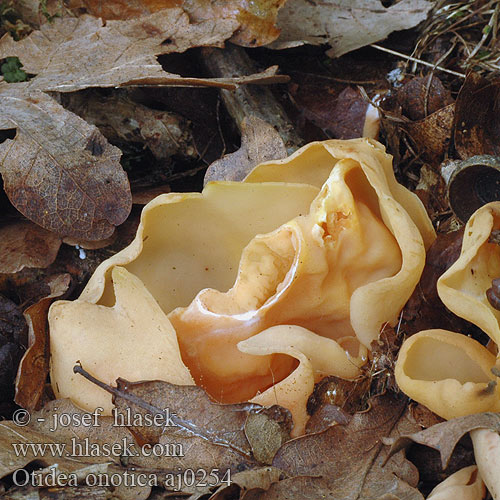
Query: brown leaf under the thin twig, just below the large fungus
point(211, 435)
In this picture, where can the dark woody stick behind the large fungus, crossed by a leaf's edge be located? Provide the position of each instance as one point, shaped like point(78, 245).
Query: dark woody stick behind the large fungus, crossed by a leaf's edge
point(249, 100)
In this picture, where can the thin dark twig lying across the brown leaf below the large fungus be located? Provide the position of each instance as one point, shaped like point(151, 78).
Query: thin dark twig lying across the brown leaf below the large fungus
point(184, 425)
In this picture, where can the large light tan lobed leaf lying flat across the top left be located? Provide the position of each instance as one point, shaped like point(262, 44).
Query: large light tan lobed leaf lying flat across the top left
point(76, 53)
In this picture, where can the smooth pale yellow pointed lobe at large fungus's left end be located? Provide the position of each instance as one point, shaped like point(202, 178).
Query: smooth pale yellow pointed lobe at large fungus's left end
point(105, 341)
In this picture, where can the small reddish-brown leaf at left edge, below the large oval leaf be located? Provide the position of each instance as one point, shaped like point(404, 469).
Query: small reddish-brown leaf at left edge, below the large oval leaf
point(24, 244)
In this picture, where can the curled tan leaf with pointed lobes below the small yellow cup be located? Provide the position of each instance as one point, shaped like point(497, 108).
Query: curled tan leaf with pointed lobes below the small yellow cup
point(445, 436)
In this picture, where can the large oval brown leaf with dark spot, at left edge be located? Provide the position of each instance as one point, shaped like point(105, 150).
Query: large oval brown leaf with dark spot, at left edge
point(59, 171)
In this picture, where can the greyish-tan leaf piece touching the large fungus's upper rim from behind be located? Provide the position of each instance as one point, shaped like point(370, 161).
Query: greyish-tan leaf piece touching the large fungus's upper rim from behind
point(259, 143)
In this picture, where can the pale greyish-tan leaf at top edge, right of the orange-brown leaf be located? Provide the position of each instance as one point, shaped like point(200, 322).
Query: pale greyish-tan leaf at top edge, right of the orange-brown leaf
point(344, 24)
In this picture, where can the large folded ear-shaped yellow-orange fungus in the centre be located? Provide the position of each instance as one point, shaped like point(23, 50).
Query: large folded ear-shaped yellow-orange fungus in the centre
point(324, 241)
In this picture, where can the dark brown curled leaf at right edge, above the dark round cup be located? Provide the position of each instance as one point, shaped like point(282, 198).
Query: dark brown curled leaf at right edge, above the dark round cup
point(477, 117)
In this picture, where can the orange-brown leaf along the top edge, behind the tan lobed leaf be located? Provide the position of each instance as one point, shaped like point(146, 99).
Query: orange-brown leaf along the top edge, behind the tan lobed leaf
point(255, 20)
